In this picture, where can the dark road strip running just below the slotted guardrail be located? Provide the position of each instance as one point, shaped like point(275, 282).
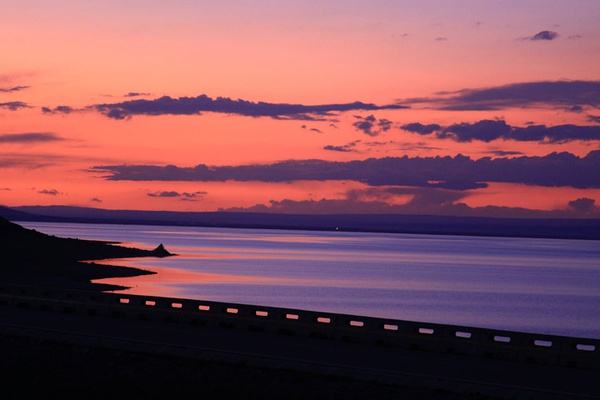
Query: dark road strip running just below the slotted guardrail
point(354, 362)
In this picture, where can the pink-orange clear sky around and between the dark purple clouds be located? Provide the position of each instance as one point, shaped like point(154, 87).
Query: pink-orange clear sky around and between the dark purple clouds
point(83, 54)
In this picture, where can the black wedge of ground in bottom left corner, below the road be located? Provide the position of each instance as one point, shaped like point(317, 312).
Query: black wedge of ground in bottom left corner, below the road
point(61, 369)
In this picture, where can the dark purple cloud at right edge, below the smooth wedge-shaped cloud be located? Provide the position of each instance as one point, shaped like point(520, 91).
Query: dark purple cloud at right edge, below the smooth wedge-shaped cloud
point(489, 130)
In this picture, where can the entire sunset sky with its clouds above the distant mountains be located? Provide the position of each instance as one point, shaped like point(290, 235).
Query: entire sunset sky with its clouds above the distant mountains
point(190, 105)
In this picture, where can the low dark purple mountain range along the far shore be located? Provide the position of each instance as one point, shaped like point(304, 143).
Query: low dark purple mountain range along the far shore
point(391, 223)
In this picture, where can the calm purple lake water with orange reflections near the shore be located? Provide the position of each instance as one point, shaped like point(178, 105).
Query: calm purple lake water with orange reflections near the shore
point(538, 285)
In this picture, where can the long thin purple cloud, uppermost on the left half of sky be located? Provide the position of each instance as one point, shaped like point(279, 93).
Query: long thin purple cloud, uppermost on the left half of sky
point(194, 105)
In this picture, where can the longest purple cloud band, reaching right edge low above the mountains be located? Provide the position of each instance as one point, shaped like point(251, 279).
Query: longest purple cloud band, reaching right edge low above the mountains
point(459, 172)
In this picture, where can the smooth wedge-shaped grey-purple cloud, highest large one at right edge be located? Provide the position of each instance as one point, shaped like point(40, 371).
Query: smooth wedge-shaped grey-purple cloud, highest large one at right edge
point(563, 94)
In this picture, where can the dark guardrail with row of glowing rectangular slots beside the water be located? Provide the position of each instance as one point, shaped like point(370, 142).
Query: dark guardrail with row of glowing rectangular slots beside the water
point(490, 343)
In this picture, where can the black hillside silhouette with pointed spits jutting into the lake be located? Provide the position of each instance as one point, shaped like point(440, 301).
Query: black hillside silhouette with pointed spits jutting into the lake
point(30, 257)
